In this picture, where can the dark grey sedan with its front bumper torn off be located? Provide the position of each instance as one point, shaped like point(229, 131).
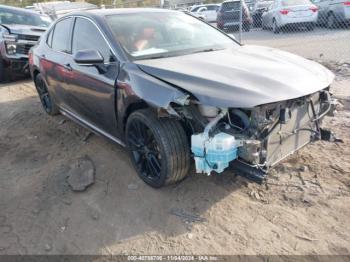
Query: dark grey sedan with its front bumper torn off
point(172, 88)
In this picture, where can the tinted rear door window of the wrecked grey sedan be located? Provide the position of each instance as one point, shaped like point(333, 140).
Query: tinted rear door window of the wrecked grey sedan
point(60, 39)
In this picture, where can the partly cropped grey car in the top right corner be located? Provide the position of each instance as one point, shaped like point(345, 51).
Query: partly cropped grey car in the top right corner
point(333, 13)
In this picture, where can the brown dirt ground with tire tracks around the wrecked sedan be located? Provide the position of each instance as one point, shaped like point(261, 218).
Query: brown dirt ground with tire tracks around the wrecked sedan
point(304, 207)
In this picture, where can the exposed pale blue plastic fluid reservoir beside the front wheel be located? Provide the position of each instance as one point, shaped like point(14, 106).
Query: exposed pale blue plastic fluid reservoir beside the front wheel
point(214, 153)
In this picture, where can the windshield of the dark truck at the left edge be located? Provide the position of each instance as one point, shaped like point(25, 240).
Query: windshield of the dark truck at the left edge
point(12, 17)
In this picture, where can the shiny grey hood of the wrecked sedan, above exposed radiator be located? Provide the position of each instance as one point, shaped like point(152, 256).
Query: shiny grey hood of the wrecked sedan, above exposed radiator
point(244, 76)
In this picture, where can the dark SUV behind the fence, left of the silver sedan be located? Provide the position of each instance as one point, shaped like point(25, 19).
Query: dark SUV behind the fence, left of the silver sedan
point(228, 16)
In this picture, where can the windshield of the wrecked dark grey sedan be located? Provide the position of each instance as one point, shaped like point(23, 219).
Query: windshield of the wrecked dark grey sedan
point(158, 34)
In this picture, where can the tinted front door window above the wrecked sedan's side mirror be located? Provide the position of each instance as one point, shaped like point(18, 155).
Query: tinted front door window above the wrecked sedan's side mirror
point(87, 36)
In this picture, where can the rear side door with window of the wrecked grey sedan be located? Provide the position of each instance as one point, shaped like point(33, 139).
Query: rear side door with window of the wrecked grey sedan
point(53, 58)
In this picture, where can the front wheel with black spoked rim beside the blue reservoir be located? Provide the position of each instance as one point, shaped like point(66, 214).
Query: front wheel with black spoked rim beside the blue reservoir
point(158, 148)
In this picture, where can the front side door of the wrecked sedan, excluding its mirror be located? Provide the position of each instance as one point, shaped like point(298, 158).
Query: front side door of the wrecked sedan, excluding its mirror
point(92, 87)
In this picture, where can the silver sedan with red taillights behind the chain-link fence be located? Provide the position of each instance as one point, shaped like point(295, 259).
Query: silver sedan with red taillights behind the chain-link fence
point(290, 14)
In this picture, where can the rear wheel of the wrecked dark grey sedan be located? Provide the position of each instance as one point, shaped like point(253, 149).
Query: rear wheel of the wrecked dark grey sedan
point(46, 98)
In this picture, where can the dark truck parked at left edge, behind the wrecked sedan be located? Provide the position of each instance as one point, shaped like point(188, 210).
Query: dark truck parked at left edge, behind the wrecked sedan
point(20, 29)
